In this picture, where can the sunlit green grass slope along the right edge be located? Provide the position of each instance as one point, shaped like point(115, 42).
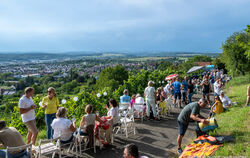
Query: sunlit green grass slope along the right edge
point(235, 121)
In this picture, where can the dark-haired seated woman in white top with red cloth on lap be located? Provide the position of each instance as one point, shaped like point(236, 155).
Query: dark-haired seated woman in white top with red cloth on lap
point(113, 117)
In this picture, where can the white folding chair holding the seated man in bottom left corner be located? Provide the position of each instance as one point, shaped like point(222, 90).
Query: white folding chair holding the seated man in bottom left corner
point(20, 148)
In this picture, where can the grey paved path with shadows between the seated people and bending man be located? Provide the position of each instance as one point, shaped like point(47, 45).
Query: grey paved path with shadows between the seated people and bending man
point(155, 139)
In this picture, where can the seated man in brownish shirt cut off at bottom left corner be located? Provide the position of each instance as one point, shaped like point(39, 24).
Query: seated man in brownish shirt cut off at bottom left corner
point(10, 137)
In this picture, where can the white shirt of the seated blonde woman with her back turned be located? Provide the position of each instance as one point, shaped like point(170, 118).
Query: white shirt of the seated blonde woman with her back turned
point(61, 128)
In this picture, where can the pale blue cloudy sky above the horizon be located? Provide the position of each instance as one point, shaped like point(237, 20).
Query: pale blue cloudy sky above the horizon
point(120, 25)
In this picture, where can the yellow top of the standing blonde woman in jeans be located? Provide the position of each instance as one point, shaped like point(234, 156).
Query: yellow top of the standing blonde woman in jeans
point(52, 104)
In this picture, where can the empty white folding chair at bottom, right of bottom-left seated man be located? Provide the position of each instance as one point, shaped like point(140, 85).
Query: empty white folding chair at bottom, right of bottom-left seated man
point(47, 147)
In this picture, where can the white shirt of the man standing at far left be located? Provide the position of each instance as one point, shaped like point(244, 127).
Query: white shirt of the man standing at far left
point(25, 103)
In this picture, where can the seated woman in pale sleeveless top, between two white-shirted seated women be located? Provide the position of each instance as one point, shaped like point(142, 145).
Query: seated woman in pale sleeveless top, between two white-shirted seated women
point(88, 119)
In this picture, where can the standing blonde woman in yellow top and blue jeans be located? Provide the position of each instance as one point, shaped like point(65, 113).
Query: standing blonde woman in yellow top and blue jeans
point(50, 103)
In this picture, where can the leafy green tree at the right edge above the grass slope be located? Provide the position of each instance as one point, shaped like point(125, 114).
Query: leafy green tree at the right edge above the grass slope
point(235, 51)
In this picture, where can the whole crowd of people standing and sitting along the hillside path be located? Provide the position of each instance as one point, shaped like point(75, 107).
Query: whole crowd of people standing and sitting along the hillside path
point(58, 125)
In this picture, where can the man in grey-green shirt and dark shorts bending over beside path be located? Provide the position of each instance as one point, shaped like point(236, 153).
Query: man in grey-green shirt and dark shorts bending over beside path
point(189, 113)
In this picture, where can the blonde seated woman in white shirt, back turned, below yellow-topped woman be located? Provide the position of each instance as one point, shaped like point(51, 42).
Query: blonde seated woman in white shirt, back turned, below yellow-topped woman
point(63, 127)
